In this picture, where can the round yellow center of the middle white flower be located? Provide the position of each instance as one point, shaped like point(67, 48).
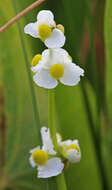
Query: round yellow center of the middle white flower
point(57, 71)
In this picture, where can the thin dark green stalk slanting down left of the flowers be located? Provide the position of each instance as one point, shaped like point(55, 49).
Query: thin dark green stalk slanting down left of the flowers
point(36, 114)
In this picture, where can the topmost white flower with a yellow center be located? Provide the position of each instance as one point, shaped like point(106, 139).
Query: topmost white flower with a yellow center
point(45, 29)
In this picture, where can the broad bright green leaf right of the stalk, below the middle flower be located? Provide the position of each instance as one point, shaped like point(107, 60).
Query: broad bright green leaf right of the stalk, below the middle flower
point(72, 119)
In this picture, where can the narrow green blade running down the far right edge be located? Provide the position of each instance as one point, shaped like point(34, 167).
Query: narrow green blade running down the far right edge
point(108, 45)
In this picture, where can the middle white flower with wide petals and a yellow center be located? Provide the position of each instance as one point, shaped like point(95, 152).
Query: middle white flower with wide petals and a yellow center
point(56, 65)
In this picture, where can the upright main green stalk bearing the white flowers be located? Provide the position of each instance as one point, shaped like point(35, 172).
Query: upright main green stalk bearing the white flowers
point(61, 184)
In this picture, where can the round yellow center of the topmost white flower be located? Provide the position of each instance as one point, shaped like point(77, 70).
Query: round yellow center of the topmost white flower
point(44, 31)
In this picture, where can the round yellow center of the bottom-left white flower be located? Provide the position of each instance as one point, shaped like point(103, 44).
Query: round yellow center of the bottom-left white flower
point(39, 157)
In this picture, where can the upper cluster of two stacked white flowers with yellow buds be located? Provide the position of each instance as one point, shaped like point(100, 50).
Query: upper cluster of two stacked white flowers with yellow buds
point(54, 65)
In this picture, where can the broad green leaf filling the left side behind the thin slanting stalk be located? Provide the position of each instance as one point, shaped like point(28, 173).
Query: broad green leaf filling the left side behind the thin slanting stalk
point(21, 128)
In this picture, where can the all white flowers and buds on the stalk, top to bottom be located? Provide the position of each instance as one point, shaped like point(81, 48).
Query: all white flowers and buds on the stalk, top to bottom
point(54, 65)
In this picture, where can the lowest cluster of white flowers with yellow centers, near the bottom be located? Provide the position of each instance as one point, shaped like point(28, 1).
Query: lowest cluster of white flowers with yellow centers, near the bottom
point(50, 162)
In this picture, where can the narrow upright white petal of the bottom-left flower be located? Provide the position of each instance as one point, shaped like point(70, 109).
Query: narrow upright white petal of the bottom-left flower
point(47, 142)
